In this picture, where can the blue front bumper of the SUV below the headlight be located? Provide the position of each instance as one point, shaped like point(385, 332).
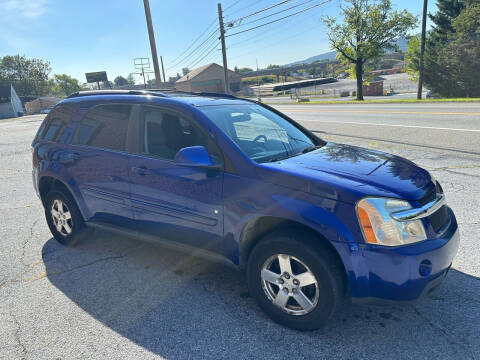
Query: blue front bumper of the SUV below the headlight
point(404, 273)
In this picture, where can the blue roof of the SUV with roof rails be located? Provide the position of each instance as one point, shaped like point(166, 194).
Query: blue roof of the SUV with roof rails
point(159, 96)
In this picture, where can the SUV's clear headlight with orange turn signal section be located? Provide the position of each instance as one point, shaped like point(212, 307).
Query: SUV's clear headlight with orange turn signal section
point(381, 229)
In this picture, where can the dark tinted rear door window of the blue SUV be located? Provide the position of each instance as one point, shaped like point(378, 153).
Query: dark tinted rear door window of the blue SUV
point(105, 126)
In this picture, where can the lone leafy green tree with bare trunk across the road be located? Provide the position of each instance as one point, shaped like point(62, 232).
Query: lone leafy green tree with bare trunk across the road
point(369, 28)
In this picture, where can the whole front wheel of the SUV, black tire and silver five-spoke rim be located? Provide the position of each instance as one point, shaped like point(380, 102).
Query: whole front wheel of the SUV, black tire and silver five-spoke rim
point(308, 256)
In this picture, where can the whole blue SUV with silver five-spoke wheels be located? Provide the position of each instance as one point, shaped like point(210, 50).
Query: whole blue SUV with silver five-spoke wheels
point(310, 222)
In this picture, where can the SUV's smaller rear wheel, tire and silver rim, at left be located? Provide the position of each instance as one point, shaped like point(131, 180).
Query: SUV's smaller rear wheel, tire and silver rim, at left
point(73, 228)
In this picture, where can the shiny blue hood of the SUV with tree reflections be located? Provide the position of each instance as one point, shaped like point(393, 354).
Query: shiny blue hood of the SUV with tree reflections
point(347, 173)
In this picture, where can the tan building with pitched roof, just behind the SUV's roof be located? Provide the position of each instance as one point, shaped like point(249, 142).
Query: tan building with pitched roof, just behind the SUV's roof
point(208, 78)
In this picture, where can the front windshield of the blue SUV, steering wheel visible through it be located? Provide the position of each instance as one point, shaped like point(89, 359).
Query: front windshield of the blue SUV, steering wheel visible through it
point(260, 133)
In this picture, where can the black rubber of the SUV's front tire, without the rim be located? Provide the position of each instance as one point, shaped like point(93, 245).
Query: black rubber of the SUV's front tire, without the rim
point(328, 290)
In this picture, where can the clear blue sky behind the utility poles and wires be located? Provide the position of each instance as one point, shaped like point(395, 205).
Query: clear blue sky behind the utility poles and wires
point(79, 36)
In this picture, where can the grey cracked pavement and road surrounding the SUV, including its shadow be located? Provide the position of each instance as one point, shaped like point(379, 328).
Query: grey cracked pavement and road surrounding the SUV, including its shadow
point(116, 298)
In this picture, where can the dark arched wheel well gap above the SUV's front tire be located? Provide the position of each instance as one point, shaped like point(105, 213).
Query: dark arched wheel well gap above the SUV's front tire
point(256, 229)
